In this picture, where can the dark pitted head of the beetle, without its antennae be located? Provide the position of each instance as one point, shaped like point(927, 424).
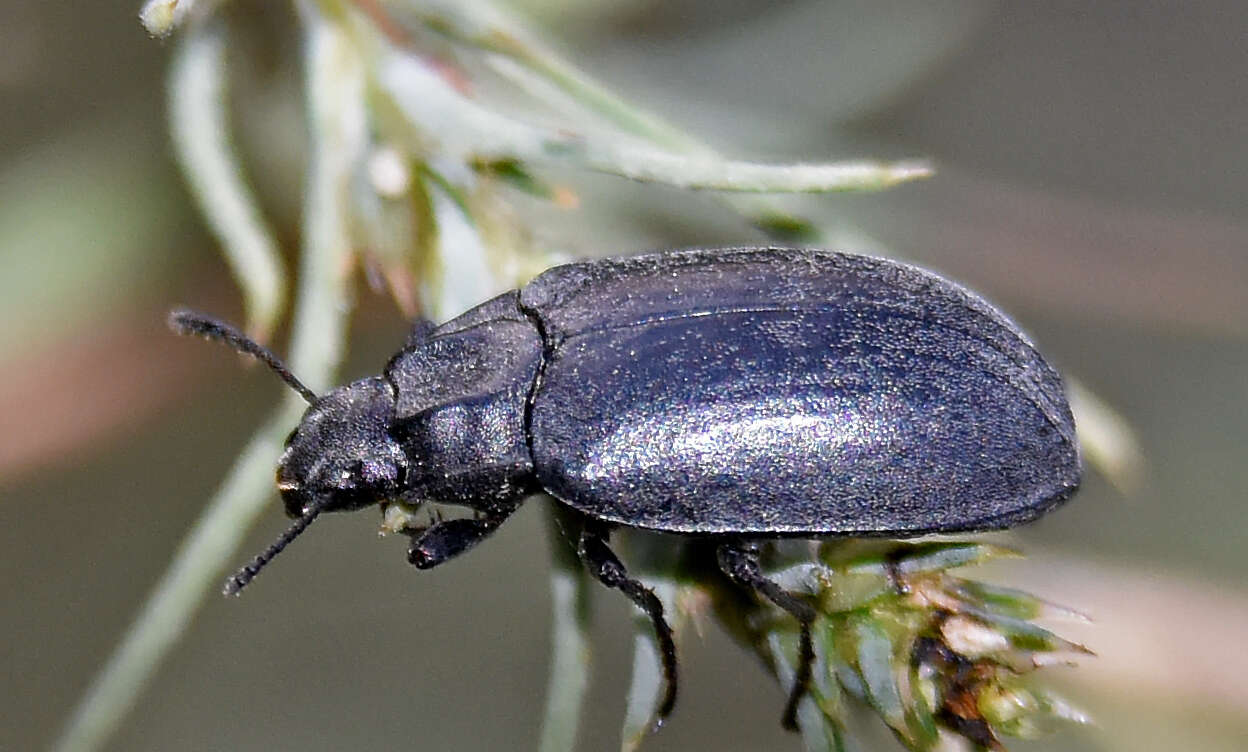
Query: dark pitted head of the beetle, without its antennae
point(341, 457)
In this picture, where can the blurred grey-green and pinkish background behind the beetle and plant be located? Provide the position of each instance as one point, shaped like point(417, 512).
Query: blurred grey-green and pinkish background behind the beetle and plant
point(1093, 165)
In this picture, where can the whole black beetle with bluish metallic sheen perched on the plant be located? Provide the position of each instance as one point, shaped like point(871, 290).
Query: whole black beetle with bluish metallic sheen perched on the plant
point(736, 395)
